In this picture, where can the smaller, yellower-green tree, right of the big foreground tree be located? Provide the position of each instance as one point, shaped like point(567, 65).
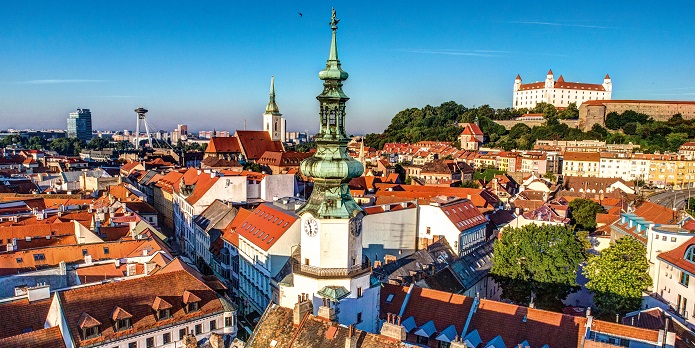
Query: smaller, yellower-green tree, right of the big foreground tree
point(617, 277)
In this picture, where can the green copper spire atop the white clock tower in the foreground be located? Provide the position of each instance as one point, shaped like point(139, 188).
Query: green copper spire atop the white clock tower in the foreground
point(331, 167)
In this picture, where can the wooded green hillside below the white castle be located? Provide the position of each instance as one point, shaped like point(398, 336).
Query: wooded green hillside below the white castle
point(440, 123)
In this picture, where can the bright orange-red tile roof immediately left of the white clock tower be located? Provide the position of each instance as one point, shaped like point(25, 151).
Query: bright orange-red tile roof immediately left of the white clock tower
point(265, 225)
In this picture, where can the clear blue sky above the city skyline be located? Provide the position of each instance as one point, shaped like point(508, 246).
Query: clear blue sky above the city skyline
point(208, 63)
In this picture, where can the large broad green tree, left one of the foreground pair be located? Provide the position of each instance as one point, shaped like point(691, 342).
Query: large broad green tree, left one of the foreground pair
point(538, 259)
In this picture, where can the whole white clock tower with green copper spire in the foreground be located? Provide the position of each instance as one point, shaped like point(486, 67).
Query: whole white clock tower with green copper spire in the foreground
point(331, 269)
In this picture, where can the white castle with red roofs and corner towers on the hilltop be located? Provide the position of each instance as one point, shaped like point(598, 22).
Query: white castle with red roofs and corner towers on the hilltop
point(559, 92)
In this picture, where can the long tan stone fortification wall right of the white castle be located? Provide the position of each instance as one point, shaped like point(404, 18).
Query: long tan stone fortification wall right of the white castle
point(594, 112)
